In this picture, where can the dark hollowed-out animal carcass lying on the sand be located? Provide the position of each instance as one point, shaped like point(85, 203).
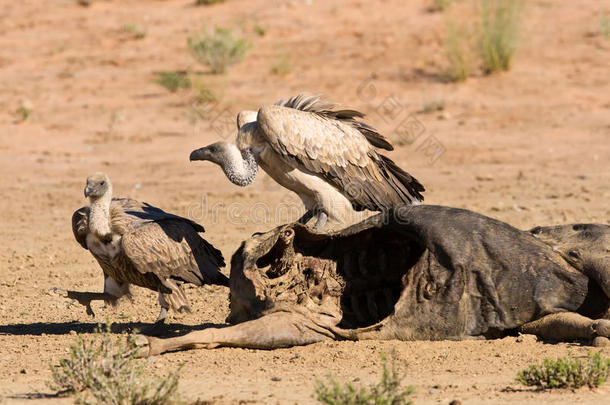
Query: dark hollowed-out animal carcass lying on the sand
point(413, 273)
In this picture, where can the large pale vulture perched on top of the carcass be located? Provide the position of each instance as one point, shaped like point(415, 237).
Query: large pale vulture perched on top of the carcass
point(325, 155)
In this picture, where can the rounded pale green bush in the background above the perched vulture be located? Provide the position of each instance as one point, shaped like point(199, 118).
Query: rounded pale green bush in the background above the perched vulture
point(218, 49)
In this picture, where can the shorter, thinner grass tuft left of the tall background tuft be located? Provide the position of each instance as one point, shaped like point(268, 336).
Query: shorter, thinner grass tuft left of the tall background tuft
point(457, 47)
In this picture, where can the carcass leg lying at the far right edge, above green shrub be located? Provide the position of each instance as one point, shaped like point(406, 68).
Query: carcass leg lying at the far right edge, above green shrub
point(566, 326)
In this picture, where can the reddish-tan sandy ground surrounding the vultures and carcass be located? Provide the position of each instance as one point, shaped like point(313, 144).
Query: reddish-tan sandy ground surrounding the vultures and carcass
point(529, 147)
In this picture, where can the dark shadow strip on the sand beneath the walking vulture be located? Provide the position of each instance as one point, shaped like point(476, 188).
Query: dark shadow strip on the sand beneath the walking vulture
point(65, 328)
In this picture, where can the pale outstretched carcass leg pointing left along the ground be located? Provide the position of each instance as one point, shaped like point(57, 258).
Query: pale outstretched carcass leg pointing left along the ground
point(280, 329)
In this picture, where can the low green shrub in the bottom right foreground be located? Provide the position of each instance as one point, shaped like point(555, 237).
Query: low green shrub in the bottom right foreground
point(567, 372)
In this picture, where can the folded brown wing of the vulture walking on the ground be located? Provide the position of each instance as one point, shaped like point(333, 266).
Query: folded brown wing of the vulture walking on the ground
point(172, 248)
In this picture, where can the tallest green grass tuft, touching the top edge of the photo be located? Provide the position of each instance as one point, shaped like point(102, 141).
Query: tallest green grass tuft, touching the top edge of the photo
point(500, 23)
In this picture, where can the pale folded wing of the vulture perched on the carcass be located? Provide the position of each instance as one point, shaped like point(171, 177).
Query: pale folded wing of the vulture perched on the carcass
point(339, 149)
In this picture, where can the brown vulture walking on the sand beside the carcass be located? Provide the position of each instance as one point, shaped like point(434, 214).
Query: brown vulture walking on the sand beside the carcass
point(136, 243)
